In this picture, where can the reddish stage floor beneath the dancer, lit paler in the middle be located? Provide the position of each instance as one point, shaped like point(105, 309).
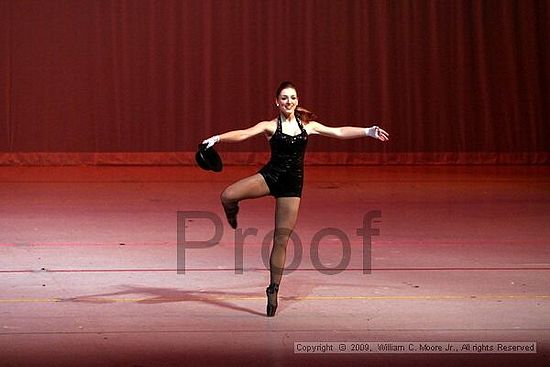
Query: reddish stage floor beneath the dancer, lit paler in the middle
point(89, 262)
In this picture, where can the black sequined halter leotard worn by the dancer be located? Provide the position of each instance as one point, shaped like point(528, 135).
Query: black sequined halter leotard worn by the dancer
point(284, 173)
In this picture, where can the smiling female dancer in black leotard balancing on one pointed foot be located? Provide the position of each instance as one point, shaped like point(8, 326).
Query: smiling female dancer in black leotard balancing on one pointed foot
point(282, 176)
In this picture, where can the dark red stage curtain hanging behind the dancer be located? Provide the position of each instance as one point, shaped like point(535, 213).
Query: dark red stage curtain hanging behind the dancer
point(453, 81)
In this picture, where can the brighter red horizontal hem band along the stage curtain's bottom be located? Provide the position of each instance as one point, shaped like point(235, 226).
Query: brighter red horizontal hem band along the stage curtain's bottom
point(256, 158)
